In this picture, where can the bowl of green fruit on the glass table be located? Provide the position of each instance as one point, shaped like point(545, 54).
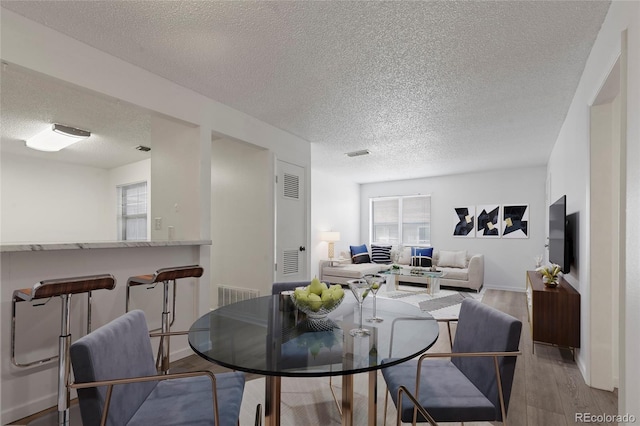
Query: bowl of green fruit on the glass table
point(317, 299)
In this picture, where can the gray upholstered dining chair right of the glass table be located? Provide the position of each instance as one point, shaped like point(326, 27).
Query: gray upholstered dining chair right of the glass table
point(473, 384)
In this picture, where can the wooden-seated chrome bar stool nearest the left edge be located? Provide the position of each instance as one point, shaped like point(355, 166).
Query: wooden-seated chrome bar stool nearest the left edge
point(39, 295)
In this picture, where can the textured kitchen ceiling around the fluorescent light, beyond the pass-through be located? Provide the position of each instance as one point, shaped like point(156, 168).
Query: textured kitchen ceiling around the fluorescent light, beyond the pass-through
point(31, 100)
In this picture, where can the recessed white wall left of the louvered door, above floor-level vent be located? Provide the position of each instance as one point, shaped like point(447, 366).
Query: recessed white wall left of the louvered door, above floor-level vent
point(241, 217)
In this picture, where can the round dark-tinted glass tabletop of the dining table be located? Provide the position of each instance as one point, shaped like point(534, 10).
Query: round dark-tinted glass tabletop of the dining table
point(258, 336)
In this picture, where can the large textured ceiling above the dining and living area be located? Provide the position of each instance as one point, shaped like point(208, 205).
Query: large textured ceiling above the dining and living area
point(430, 88)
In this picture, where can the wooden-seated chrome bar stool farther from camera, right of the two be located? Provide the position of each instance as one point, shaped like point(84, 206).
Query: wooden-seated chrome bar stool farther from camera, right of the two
point(164, 276)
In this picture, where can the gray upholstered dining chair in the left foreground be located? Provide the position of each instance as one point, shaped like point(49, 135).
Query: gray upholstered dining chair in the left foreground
point(118, 384)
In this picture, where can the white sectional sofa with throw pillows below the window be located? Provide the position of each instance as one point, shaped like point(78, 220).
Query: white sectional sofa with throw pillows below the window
point(460, 269)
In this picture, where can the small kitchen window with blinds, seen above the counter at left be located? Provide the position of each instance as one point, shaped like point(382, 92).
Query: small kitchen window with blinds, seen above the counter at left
point(132, 211)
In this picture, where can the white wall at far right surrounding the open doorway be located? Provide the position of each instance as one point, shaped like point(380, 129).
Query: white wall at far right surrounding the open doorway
point(568, 173)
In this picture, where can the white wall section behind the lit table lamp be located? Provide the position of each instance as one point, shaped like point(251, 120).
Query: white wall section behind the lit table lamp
point(335, 203)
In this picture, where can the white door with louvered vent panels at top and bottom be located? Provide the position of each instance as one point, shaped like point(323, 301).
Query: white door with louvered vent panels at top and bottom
point(291, 223)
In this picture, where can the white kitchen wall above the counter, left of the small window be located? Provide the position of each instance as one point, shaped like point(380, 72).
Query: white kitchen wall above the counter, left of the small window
point(48, 201)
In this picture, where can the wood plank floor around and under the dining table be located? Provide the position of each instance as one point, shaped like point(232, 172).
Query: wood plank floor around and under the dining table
point(548, 388)
